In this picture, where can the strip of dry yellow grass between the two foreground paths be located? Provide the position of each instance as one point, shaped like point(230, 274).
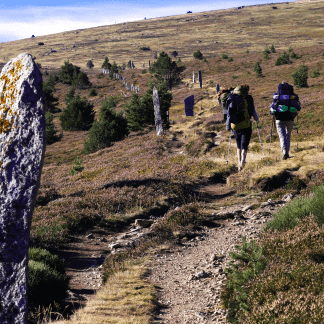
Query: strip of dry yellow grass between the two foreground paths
point(126, 298)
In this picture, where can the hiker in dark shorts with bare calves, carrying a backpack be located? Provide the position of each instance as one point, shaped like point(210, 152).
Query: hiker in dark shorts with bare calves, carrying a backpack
point(240, 108)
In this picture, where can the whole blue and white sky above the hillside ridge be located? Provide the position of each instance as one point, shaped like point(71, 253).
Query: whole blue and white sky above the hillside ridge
point(21, 19)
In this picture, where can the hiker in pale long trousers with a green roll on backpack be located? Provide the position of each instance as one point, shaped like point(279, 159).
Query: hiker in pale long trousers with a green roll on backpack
point(284, 108)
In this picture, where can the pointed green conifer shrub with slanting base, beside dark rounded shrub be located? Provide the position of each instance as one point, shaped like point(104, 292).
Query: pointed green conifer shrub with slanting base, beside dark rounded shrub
point(111, 127)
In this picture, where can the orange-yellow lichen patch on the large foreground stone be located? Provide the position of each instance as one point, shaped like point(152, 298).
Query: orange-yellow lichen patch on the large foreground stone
point(8, 95)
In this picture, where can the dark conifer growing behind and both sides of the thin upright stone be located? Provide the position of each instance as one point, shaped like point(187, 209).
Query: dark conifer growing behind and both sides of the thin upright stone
point(140, 111)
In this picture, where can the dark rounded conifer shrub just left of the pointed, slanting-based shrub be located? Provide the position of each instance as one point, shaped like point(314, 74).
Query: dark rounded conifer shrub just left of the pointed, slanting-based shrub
point(77, 115)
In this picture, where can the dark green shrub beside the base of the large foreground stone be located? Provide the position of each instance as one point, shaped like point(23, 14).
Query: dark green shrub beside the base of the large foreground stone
point(47, 279)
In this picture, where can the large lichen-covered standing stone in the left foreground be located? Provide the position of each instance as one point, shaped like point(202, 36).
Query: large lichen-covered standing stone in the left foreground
point(22, 146)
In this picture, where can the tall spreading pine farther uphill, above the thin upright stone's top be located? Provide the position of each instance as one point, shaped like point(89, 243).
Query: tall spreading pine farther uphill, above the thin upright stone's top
point(166, 69)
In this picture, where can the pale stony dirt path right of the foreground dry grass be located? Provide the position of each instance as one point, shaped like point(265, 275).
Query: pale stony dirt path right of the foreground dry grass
point(190, 279)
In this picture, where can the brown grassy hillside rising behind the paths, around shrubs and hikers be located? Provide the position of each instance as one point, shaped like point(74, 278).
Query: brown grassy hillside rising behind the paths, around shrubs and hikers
point(144, 174)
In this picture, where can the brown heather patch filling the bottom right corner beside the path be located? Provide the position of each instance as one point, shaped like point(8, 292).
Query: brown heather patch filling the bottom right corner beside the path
point(290, 289)
